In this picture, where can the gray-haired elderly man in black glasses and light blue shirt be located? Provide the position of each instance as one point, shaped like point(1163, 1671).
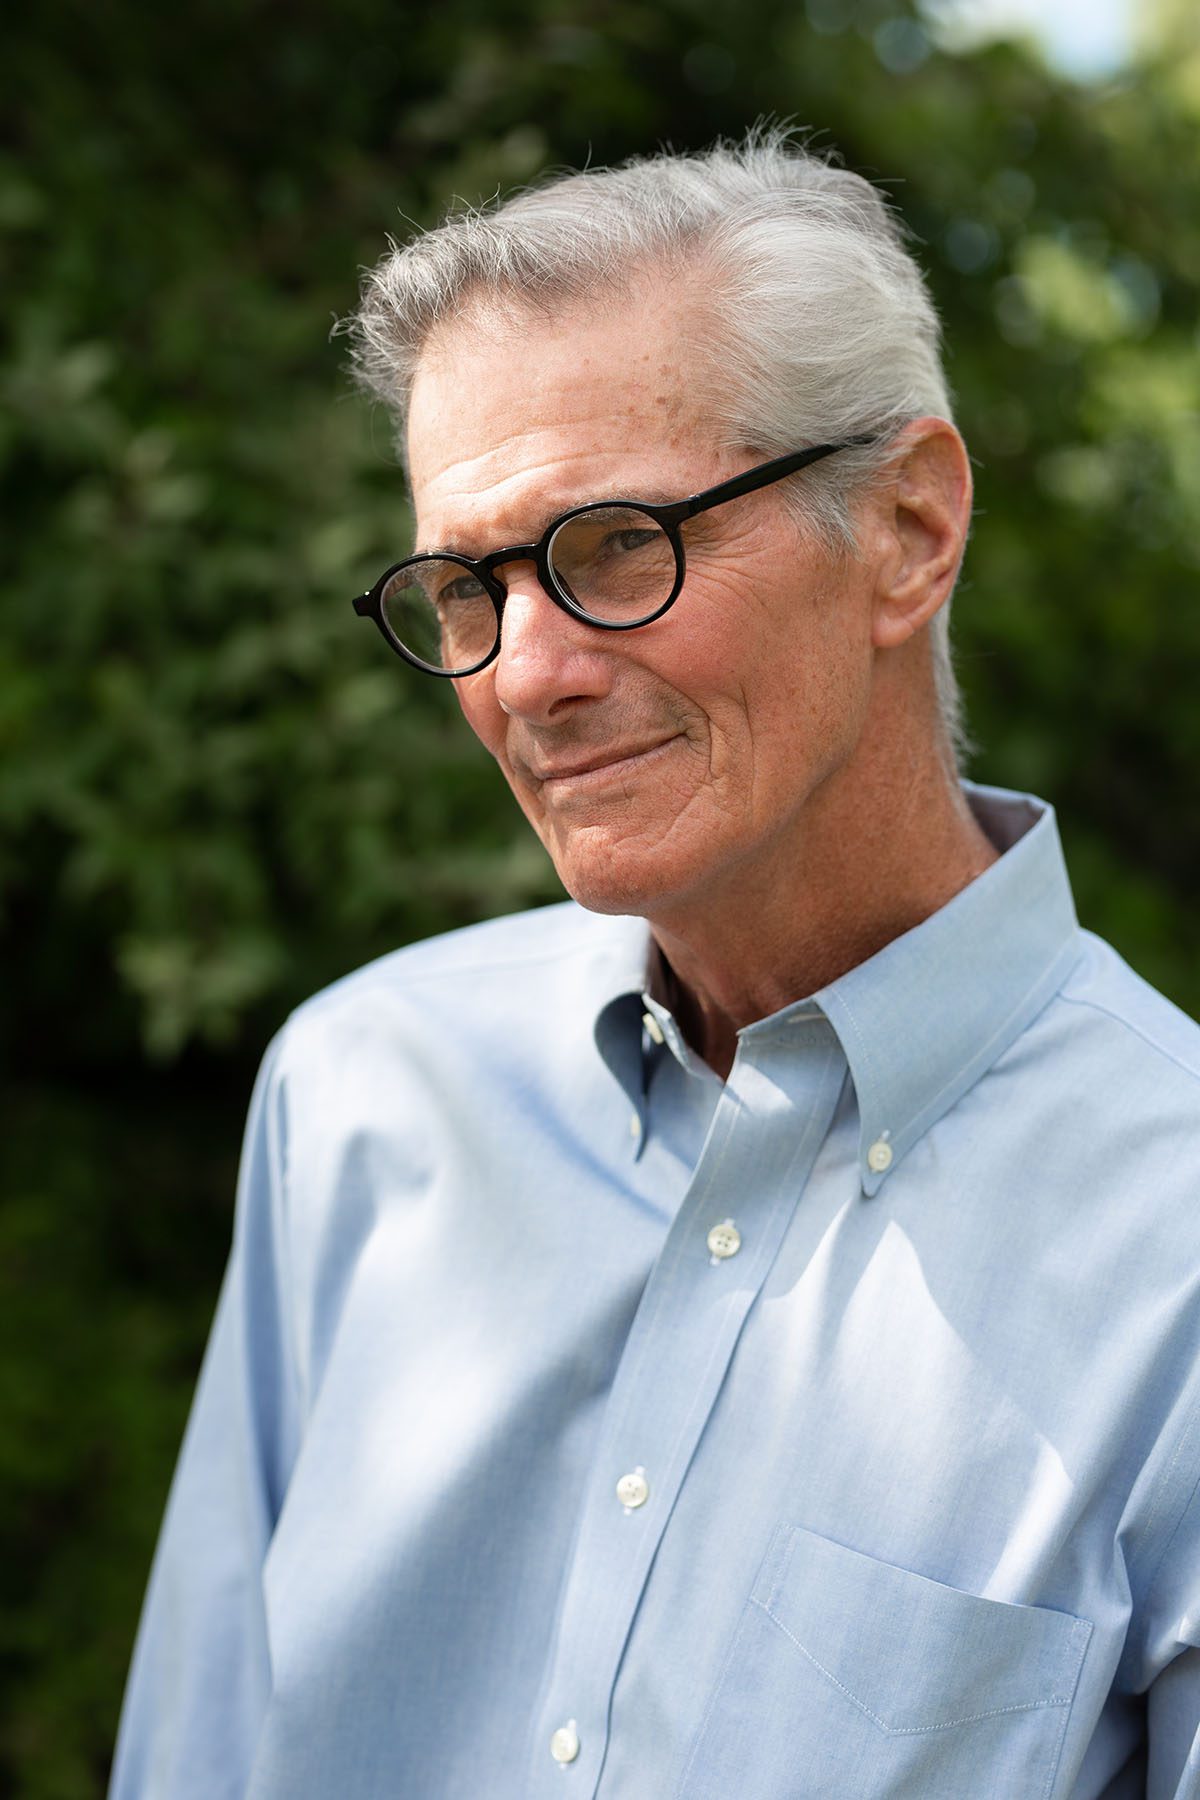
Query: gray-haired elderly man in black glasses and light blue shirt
point(737, 1333)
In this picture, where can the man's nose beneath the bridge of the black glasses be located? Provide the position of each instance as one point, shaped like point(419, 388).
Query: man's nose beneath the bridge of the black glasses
point(550, 661)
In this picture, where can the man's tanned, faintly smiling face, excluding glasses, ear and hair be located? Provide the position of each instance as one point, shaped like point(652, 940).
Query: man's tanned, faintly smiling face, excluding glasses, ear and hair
point(665, 764)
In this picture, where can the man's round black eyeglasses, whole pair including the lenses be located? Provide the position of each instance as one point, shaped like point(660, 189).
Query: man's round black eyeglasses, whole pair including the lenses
point(614, 564)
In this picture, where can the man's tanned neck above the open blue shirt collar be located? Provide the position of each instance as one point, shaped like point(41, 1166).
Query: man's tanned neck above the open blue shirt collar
point(834, 895)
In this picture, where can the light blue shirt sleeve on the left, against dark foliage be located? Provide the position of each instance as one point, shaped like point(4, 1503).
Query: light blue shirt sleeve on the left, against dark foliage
point(201, 1673)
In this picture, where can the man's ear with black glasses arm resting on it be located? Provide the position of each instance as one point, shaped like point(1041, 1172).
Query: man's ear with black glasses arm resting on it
point(920, 523)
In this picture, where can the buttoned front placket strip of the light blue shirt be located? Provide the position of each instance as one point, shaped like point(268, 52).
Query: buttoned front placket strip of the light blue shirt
point(766, 1135)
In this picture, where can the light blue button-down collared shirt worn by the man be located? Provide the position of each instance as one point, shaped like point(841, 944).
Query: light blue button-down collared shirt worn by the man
point(578, 1425)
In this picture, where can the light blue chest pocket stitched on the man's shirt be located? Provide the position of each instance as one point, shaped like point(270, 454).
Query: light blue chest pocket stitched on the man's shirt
point(855, 1680)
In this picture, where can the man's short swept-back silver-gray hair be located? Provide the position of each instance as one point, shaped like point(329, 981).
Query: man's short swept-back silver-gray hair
point(825, 327)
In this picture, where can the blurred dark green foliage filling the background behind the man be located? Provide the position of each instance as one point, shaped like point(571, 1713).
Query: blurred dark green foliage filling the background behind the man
point(219, 793)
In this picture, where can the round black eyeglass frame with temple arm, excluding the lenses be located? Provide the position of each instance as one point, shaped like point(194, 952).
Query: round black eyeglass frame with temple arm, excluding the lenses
point(668, 517)
